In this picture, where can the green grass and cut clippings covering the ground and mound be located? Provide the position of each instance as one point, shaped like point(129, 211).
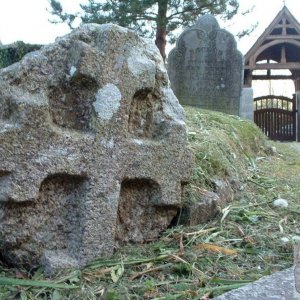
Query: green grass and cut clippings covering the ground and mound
point(243, 243)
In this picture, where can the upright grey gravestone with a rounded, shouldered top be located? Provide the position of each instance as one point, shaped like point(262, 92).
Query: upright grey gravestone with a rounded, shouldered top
point(206, 69)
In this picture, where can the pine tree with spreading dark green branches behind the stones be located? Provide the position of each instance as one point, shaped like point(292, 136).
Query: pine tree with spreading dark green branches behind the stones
point(149, 18)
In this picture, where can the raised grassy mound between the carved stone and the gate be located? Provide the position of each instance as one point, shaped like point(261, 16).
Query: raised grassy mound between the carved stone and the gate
point(223, 145)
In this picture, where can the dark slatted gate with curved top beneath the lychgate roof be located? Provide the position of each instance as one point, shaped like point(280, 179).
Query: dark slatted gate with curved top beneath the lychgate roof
point(276, 117)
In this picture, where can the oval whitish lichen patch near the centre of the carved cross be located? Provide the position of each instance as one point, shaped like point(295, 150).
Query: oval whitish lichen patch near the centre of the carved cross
point(107, 101)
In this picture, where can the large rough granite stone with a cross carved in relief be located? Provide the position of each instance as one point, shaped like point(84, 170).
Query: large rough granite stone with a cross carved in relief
point(92, 148)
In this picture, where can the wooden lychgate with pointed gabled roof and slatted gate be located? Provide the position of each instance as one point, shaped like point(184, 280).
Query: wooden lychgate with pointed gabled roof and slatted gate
point(278, 48)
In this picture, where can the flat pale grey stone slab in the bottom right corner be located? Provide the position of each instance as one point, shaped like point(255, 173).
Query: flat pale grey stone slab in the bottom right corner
point(279, 286)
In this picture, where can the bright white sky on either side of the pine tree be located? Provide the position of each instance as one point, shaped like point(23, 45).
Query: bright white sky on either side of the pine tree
point(27, 20)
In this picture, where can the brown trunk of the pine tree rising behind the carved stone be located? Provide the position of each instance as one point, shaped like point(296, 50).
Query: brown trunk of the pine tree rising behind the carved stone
point(161, 30)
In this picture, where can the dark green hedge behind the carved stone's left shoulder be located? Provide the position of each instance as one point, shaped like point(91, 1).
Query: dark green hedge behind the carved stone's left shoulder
point(12, 53)
